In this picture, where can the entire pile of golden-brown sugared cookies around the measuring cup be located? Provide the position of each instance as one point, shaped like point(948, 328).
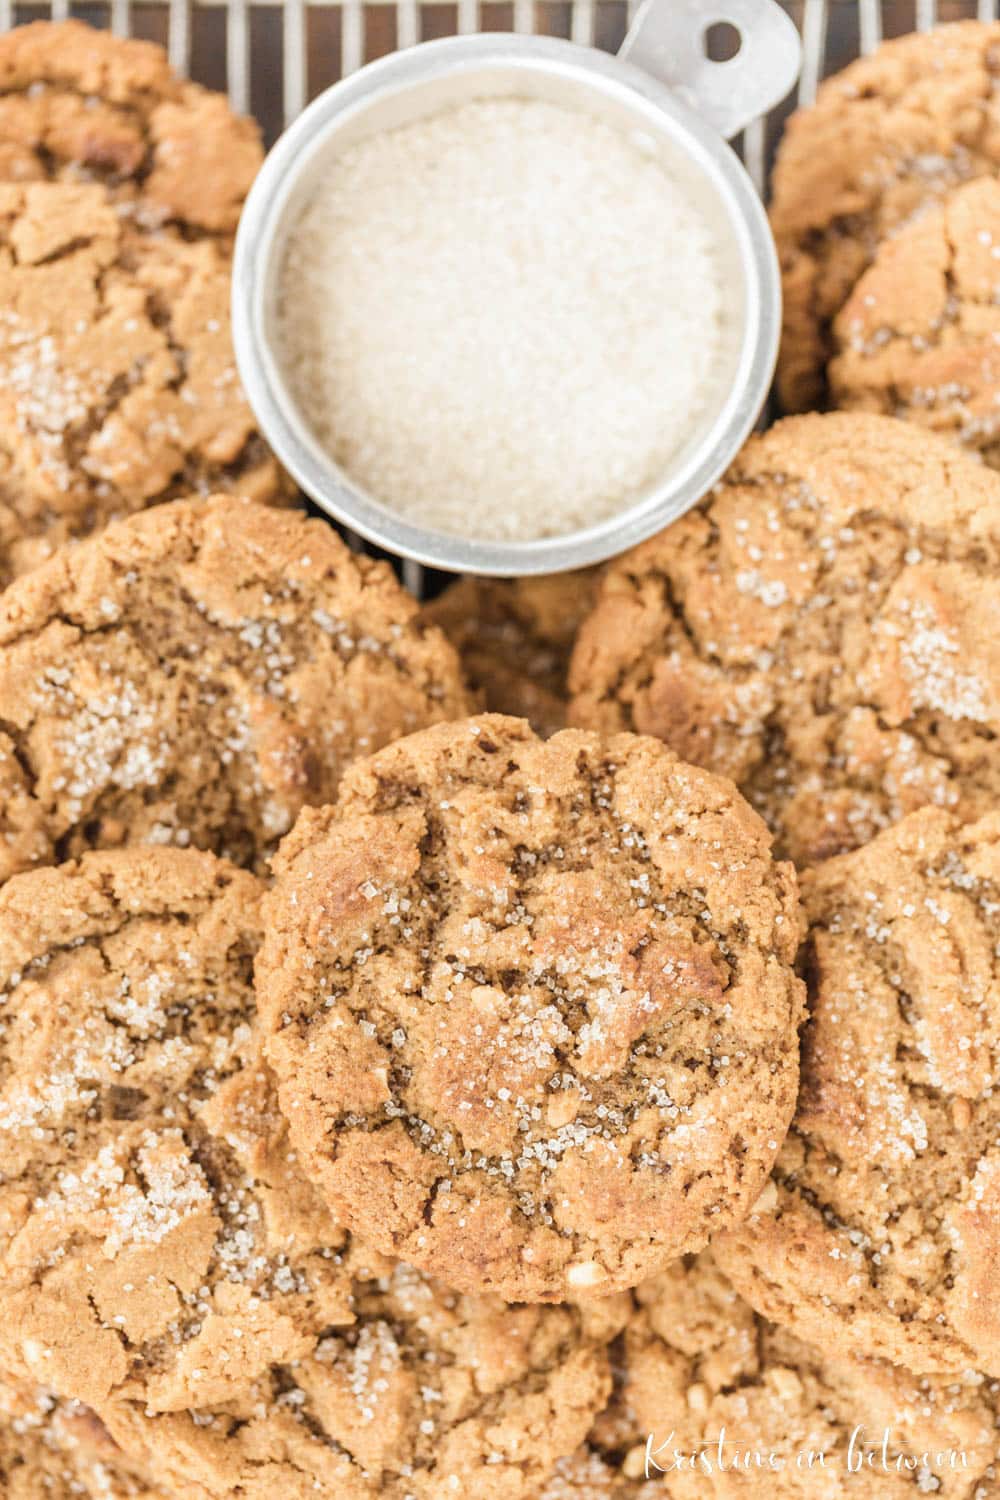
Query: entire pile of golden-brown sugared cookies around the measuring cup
point(407, 1102)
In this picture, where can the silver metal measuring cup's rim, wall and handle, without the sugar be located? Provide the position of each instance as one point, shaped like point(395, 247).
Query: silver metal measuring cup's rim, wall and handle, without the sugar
point(662, 85)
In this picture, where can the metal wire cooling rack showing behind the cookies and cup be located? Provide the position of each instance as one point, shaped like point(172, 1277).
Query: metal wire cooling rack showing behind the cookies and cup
point(274, 56)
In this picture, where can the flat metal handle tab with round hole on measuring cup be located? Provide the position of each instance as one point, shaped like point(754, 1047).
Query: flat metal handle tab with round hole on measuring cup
point(668, 40)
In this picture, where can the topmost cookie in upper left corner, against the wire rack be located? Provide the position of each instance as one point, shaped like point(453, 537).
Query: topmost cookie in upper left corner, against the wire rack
point(77, 104)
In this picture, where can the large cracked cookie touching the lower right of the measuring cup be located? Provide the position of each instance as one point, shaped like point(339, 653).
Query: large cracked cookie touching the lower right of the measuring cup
point(824, 629)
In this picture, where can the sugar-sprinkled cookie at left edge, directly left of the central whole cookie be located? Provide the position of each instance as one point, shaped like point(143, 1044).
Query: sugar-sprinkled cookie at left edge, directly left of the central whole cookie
point(157, 1243)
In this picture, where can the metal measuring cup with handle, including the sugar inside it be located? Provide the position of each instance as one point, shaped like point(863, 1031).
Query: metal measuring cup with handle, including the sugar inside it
point(509, 305)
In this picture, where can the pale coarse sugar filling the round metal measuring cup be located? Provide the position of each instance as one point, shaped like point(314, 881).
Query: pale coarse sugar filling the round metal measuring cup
point(503, 320)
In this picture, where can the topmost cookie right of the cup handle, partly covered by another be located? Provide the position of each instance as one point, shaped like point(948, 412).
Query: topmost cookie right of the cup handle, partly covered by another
point(887, 136)
